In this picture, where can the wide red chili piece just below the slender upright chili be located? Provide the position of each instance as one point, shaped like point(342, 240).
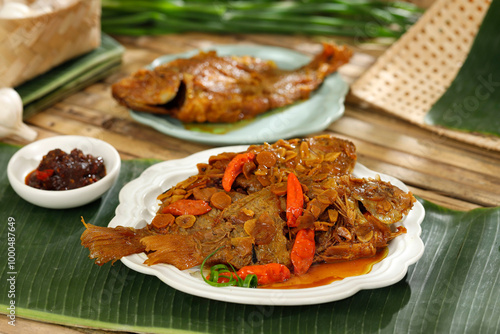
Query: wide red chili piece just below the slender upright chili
point(303, 251)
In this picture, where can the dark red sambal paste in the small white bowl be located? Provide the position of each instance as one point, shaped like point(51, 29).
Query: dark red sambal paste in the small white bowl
point(61, 171)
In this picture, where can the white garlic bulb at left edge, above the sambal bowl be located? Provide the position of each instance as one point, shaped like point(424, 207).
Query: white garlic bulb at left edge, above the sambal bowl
point(11, 116)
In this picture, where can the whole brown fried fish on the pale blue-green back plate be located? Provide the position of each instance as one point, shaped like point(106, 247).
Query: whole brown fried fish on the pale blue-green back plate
point(224, 89)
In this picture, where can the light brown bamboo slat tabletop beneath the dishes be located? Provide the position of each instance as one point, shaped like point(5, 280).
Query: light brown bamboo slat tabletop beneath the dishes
point(444, 171)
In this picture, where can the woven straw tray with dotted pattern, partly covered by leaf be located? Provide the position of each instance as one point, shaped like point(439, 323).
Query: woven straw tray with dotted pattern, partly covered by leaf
point(416, 70)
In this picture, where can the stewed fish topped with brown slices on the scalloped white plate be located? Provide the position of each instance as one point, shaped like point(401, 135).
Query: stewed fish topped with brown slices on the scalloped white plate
point(350, 217)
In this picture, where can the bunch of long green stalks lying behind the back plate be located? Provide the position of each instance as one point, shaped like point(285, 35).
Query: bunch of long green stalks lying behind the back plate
point(359, 18)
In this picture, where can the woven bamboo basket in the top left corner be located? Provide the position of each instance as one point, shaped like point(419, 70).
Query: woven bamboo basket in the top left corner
point(33, 45)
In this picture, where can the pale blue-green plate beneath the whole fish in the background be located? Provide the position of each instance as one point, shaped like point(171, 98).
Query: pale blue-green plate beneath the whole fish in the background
point(313, 115)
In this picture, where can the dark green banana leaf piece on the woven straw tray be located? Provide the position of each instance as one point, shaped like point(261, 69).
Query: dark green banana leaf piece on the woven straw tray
point(472, 102)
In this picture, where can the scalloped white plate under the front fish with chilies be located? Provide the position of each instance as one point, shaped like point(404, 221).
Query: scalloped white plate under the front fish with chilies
point(138, 206)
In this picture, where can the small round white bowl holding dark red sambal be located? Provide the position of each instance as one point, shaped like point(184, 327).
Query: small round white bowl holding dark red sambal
point(28, 158)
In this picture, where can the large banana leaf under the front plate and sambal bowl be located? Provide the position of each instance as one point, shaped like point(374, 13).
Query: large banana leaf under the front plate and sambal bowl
point(453, 288)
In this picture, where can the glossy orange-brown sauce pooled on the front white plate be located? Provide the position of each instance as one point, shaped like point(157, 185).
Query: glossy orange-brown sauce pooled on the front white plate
point(326, 273)
